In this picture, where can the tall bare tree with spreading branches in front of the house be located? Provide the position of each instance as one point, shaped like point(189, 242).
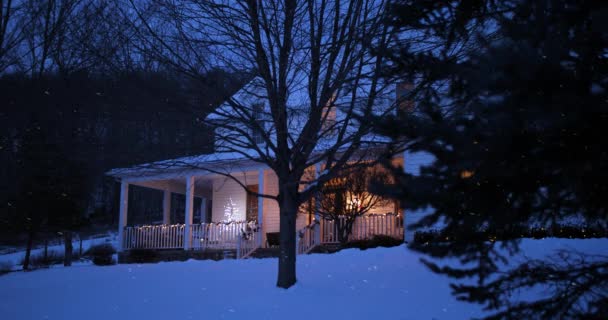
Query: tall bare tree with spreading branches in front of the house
point(316, 80)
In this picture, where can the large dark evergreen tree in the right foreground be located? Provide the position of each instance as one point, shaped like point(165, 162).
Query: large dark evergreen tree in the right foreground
point(512, 103)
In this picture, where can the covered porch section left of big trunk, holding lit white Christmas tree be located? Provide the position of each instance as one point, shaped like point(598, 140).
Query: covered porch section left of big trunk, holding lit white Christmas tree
point(223, 217)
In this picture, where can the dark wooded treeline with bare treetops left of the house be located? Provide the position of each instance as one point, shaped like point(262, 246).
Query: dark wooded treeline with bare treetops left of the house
point(82, 92)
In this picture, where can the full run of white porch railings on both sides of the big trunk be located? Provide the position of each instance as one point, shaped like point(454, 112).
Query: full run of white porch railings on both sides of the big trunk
point(243, 238)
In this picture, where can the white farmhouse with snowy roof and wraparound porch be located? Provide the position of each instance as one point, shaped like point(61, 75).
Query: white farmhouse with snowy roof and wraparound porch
point(226, 216)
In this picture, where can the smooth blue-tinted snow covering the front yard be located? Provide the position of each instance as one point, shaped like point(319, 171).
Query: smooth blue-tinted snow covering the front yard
point(382, 283)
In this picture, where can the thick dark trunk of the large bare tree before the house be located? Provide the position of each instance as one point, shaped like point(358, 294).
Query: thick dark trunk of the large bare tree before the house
point(288, 209)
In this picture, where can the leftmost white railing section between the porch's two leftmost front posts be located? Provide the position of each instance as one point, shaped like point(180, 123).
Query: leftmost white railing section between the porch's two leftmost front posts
point(154, 237)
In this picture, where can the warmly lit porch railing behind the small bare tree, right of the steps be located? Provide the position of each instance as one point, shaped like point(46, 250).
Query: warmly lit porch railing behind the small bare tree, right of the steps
point(364, 227)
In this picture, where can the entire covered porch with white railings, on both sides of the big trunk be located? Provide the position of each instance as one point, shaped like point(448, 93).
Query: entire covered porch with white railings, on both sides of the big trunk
point(225, 217)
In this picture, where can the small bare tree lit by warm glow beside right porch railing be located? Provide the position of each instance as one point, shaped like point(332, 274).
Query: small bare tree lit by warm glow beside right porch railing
point(347, 197)
